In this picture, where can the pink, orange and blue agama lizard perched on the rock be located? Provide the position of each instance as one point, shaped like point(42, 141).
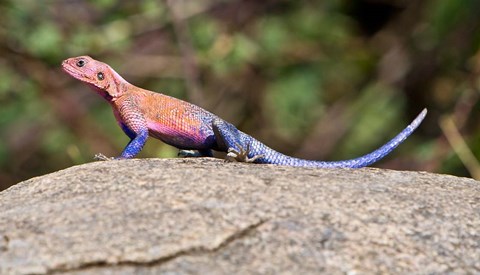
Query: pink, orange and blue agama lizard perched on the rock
point(142, 113)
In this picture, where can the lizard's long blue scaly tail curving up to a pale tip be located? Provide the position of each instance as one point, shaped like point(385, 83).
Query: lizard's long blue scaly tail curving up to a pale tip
point(273, 157)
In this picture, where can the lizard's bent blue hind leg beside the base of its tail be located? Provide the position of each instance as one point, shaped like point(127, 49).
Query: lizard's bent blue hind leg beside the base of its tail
point(230, 140)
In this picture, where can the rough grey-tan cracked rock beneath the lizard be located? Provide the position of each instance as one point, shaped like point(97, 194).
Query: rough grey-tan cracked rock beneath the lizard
point(205, 216)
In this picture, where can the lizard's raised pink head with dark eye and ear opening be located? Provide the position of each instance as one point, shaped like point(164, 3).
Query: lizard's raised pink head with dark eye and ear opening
point(97, 74)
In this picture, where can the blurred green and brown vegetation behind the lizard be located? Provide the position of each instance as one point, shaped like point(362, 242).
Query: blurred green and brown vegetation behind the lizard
point(318, 79)
